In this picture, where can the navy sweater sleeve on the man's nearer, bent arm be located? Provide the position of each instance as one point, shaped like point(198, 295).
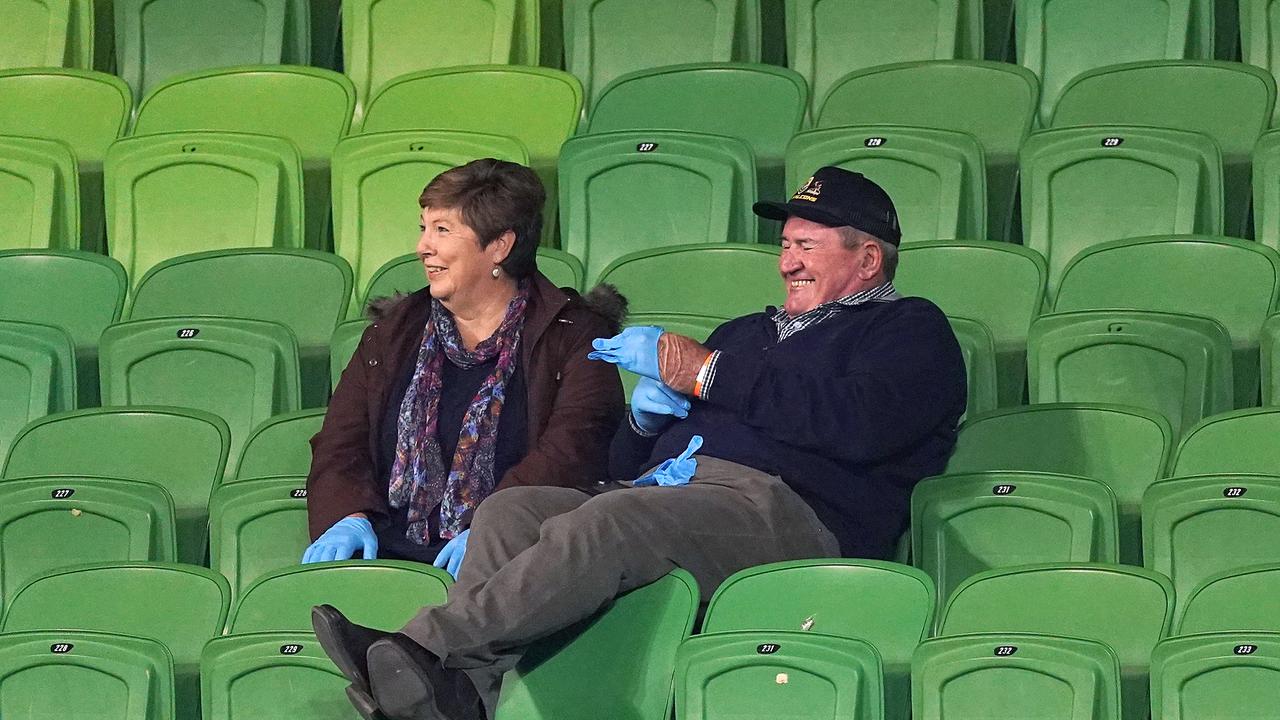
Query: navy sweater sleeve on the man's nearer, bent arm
point(868, 404)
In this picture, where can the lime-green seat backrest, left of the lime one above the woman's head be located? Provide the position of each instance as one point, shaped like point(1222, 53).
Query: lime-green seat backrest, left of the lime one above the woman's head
point(308, 106)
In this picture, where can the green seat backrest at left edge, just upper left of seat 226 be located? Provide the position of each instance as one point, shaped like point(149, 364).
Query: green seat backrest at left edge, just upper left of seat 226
point(77, 291)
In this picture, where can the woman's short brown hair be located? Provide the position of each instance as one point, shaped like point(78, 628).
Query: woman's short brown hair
point(495, 197)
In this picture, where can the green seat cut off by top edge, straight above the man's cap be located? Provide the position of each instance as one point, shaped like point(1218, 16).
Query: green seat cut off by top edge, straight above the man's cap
point(829, 40)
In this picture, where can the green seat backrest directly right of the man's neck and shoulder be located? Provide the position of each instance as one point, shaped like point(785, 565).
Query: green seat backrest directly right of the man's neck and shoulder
point(998, 284)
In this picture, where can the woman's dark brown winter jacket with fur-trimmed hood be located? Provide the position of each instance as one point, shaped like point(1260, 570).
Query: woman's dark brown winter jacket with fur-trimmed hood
point(574, 405)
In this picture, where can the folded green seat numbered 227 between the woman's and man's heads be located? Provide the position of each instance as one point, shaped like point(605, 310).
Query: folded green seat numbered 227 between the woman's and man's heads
point(628, 192)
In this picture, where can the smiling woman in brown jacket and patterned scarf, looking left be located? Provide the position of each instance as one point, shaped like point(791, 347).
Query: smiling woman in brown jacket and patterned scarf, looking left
point(476, 384)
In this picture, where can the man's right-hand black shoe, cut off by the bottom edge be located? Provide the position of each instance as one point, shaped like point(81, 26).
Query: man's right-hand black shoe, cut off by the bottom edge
point(410, 683)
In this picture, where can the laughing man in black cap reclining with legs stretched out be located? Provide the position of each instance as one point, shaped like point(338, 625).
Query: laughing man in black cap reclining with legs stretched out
point(811, 427)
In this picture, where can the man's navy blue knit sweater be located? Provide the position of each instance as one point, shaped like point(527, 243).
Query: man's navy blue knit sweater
point(851, 413)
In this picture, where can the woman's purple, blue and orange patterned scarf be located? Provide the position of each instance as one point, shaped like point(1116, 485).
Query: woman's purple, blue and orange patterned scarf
point(419, 477)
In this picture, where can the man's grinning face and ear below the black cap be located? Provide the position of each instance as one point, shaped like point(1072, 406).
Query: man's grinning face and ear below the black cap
point(819, 268)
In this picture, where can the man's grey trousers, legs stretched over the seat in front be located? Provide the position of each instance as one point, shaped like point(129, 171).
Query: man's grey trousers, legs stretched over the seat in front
point(541, 559)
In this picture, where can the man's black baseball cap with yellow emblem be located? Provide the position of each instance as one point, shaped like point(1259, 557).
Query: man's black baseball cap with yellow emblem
point(836, 198)
